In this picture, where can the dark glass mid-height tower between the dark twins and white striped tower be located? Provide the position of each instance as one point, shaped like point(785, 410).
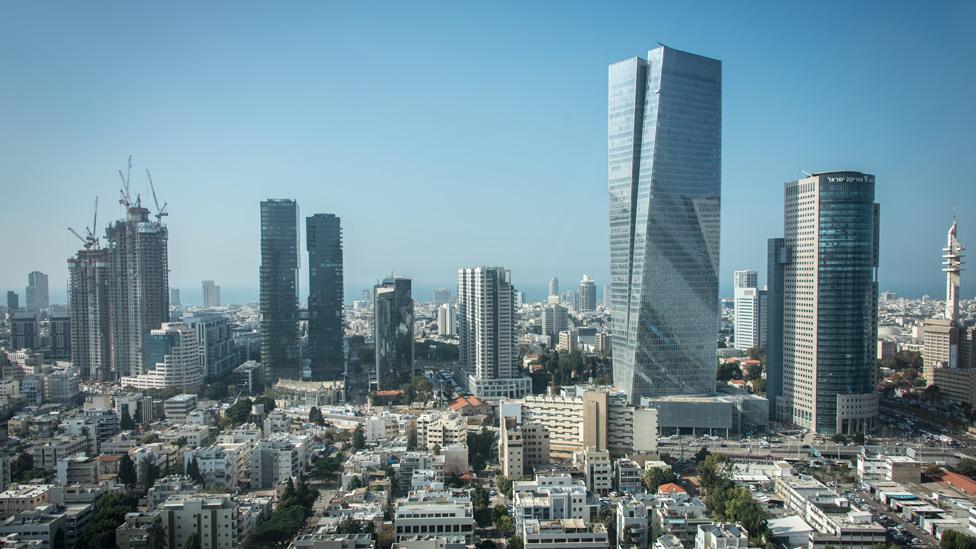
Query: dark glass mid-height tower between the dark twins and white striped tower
point(393, 332)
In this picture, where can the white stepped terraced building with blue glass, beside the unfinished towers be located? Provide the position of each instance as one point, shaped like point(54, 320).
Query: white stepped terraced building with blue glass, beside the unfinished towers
point(173, 360)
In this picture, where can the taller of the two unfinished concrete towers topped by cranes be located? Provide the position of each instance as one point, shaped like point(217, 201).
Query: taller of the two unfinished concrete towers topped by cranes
point(139, 267)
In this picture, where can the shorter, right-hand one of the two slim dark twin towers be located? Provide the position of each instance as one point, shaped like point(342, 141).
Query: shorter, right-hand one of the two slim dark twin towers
point(324, 243)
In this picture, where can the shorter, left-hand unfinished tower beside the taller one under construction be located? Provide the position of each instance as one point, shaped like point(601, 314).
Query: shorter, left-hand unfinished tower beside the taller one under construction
point(89, 298)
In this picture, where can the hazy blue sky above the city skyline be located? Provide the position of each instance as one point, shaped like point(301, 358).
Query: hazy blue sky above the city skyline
point(460, 133)
